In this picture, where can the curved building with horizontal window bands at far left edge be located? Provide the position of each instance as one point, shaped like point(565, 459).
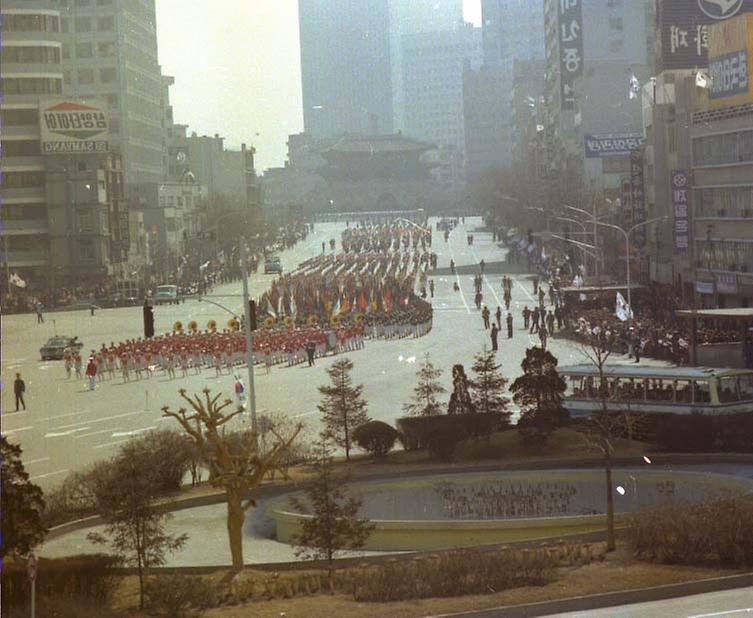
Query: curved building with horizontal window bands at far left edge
point(30, 69)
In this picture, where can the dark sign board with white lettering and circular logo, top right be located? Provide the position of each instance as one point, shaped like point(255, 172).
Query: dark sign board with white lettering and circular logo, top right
point(684, 29)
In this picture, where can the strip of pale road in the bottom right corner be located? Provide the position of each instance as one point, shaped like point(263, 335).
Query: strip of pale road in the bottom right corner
point(729, 603)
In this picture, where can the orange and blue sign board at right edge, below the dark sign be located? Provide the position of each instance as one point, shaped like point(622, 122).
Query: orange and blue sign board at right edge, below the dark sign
point(730, 61)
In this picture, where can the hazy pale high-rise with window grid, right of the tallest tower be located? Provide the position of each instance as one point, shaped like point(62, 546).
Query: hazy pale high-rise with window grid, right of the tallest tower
point(433, 64)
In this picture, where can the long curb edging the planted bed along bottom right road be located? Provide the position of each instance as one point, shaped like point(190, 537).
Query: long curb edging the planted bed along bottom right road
point(610, 599)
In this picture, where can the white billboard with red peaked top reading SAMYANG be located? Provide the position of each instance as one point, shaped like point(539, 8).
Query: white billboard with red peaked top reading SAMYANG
point(69, 127)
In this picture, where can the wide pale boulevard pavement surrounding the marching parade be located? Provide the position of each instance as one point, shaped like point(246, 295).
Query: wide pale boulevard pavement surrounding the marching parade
point(66, 427)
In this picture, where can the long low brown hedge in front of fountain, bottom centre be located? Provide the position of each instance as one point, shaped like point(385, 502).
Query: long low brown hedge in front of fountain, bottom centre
point(453, 574)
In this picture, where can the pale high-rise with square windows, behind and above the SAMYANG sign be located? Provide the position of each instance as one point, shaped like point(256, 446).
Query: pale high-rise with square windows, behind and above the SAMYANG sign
point(110, 52)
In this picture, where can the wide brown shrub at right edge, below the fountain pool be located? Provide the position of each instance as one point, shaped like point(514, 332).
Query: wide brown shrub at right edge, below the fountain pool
point(716, 531)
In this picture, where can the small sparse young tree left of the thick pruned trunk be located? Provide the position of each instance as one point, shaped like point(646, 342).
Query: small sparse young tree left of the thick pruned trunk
point(134, 523)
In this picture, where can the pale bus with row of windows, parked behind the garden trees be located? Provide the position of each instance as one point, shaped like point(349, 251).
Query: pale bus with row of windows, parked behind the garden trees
point(663, 390)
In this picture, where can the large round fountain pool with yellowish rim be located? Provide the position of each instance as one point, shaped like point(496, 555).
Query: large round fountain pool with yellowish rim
point(462, 510)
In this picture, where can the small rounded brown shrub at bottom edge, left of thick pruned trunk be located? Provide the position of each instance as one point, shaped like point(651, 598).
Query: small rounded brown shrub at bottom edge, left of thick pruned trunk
point(176, 596)
